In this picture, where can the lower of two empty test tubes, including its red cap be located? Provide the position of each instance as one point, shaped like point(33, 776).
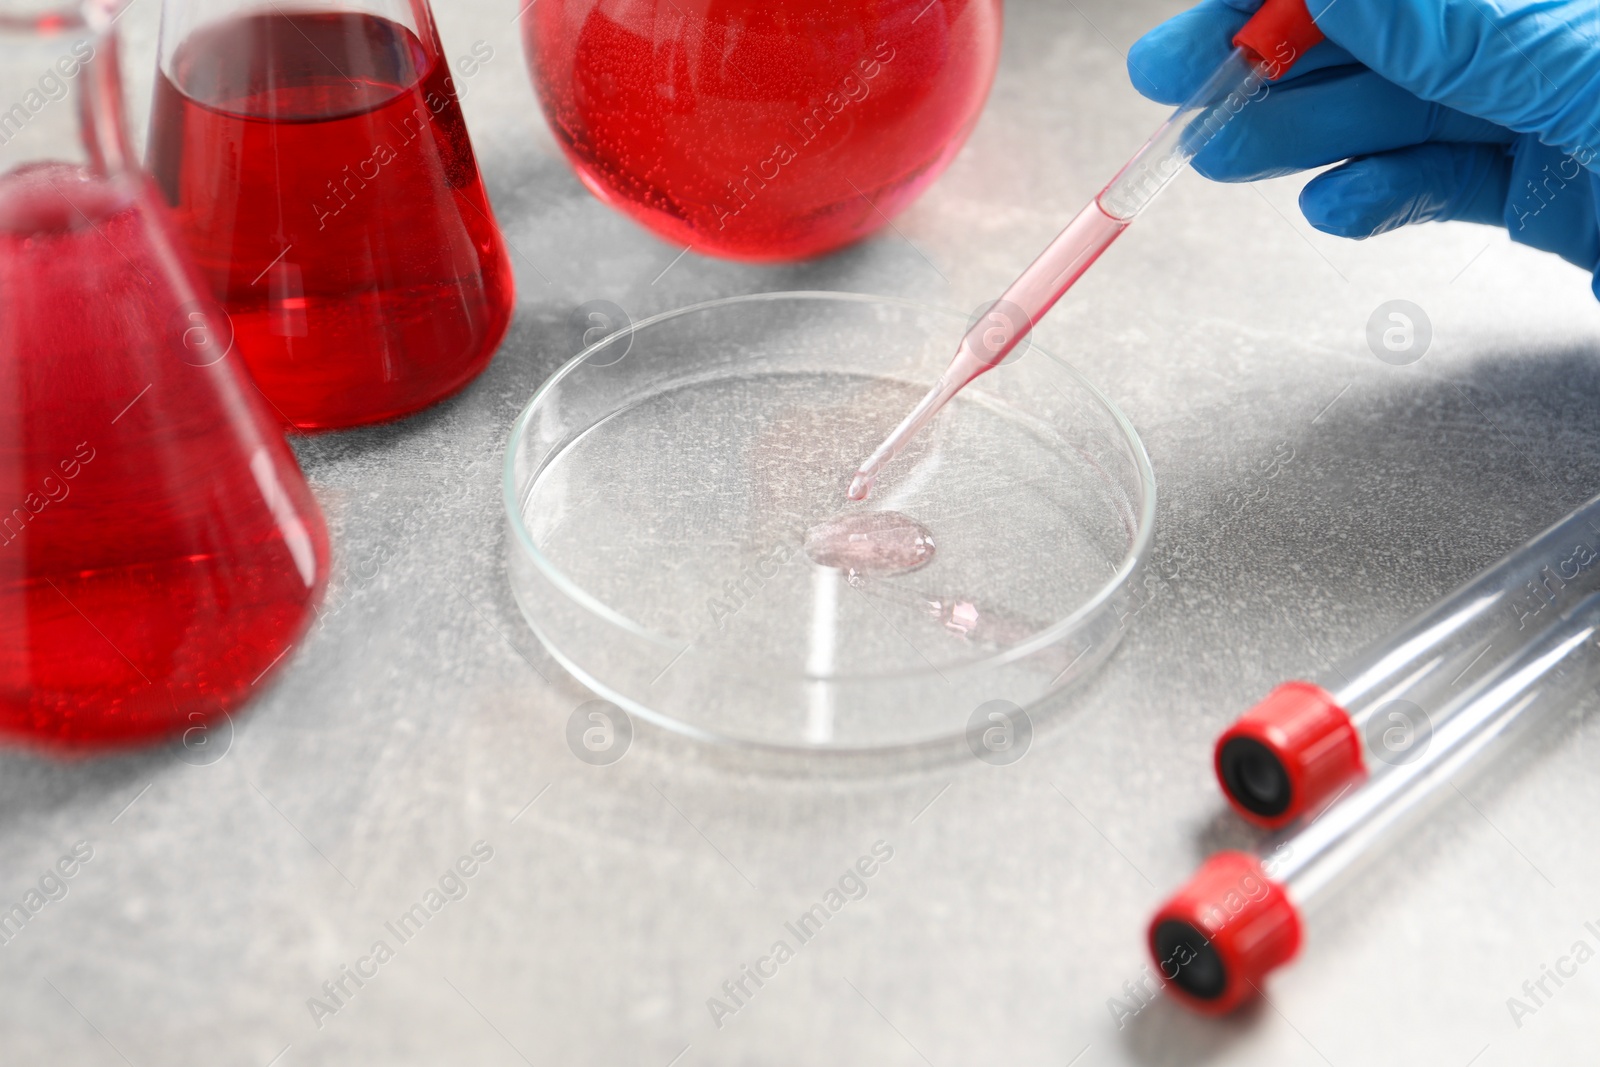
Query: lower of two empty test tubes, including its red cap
point(1244, 916)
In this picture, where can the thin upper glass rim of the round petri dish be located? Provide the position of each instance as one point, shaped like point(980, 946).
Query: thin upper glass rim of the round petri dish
point(1140, 546)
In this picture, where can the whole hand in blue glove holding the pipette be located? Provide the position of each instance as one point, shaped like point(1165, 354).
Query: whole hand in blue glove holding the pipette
point(1486, 111)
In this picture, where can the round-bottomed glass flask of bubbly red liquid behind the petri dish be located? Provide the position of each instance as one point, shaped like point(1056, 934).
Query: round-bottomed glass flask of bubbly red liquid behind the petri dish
point(762, 130)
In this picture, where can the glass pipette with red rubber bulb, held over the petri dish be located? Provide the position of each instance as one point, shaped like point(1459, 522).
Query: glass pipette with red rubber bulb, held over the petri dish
point(1263, 52)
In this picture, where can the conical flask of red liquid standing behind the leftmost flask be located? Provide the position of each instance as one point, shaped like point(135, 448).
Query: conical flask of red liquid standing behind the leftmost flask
point(319, 167)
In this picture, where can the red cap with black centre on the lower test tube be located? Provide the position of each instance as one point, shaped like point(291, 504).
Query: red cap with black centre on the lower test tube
point(1223, 933)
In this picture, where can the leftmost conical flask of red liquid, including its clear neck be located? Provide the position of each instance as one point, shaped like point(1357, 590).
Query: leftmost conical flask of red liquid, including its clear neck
point(159, 548)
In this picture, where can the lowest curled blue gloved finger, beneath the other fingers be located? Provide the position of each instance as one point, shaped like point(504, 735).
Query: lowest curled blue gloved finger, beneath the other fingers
point(1420, 185)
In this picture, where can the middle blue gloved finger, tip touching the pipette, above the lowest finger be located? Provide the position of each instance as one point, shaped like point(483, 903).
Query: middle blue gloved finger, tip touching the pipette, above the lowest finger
point(1327, 118)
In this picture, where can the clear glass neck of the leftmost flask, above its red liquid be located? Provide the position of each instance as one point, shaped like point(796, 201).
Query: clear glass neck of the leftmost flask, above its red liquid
point(60, 87)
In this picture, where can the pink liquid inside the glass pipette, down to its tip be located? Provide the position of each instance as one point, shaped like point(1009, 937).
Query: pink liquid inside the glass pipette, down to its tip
point(998, 334)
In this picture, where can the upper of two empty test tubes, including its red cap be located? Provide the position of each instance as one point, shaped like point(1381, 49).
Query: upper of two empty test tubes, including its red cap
point(1308, 741)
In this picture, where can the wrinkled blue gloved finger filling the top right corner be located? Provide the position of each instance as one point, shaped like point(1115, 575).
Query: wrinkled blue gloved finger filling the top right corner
point(1532, 66)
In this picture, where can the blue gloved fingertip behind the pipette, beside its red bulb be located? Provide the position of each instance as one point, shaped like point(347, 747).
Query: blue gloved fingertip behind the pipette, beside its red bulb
point(1175, 58)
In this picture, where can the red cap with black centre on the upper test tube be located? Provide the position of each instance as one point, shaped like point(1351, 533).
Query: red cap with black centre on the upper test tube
point(1313, 741)
